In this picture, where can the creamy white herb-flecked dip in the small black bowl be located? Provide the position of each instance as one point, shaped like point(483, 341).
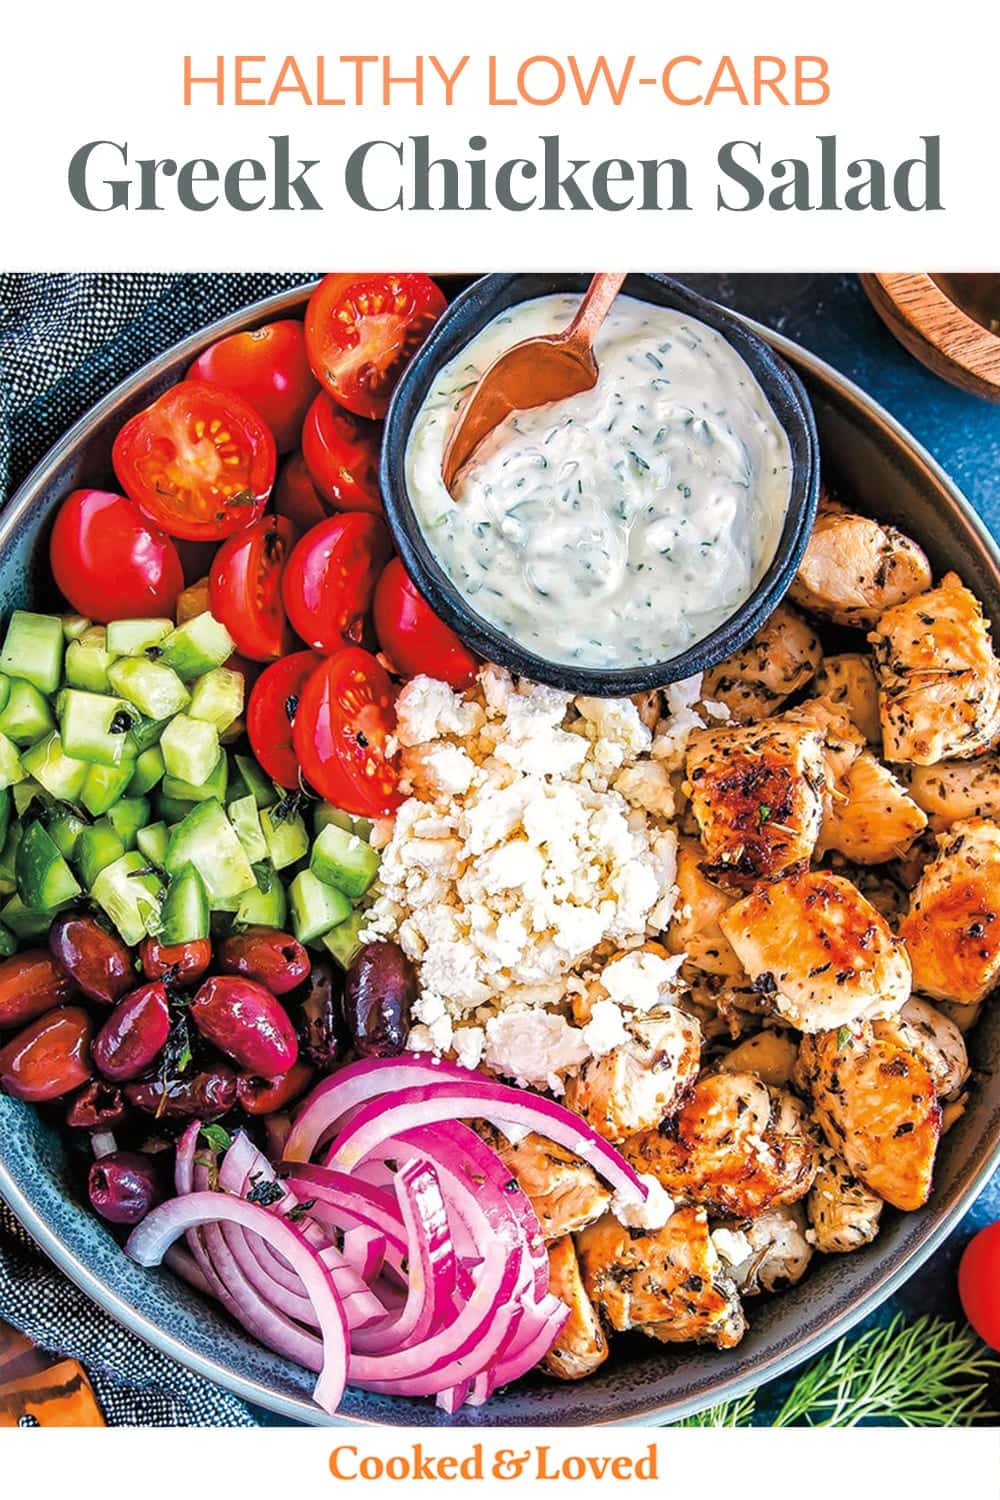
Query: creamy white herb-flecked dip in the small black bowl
point(618, 527)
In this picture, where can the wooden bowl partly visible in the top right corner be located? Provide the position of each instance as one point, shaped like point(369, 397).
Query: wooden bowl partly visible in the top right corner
point(945, 323)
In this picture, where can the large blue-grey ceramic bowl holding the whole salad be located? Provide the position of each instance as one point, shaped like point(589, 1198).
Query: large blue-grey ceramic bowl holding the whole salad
point(890, 475)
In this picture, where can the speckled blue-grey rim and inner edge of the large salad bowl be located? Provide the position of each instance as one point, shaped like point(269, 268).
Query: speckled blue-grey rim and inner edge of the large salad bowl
point(785, 1333)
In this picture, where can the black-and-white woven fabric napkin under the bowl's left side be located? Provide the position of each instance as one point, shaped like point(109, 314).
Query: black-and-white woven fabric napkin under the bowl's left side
point(65, 341)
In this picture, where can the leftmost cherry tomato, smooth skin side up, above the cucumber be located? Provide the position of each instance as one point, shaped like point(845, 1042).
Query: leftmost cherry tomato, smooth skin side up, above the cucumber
point(110, 562)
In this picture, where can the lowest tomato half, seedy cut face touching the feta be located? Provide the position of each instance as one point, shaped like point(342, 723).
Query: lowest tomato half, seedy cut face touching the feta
point(343, 731)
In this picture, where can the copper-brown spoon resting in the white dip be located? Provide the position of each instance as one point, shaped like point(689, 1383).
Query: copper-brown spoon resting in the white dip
point(533, 374)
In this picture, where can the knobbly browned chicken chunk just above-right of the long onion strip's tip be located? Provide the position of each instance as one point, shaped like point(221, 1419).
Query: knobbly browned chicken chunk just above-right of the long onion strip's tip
point(737, 1147)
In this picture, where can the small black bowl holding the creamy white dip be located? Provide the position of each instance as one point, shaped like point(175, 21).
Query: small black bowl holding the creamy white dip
point(467, 316)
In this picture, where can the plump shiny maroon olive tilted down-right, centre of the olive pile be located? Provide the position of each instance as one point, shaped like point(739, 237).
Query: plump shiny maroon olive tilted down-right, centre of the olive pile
point(245, 1021)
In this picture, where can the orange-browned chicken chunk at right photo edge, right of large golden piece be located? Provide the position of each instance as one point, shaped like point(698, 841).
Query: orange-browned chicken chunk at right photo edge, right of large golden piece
point(953, 929)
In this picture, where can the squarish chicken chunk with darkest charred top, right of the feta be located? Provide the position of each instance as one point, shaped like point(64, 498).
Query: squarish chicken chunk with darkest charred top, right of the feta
point(756, 793)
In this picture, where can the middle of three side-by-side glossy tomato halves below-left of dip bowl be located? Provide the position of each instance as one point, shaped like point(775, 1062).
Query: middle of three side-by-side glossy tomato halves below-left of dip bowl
point(331, 578)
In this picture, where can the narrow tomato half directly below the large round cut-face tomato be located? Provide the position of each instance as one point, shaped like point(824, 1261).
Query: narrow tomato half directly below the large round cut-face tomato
point(245, 589)
